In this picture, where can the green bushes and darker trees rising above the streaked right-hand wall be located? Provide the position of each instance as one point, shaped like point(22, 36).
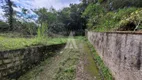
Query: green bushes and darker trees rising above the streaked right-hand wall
point(114, 15)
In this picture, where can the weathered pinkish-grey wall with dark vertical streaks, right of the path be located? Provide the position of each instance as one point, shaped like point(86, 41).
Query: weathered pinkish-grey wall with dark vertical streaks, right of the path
point(120, 51)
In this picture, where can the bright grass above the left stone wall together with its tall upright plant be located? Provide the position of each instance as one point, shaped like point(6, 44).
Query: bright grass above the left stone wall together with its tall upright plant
point(14, 40)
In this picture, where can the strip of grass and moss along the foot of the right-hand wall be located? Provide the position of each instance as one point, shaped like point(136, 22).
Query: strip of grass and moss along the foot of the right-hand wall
point(105, 73)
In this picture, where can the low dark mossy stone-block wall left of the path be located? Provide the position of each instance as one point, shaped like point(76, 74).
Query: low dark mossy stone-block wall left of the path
point(14, 63)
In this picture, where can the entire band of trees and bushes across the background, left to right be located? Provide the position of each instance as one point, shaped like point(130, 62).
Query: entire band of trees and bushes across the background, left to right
point(97, 15)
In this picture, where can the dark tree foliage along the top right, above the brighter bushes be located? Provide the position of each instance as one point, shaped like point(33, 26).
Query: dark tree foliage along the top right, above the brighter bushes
point(115, 4)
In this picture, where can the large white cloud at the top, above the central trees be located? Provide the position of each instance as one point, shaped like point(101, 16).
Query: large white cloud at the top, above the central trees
point(57, 4)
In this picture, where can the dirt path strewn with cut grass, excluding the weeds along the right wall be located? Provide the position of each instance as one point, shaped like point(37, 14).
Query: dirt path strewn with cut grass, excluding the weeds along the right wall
point(75, 62)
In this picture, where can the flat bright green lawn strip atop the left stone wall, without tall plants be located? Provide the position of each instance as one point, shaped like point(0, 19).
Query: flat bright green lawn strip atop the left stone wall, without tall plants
point(8, 43)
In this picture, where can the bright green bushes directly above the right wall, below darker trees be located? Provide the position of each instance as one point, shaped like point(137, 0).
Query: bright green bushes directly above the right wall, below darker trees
point(109, 21)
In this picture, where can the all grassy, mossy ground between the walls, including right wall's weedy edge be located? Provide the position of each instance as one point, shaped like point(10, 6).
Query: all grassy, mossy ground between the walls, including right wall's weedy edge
point(66, 64)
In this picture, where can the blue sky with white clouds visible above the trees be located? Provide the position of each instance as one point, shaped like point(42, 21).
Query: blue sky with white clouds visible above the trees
point(35, 4)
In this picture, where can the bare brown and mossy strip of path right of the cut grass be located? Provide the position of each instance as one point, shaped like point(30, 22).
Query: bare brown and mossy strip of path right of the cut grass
point(86, 69)
